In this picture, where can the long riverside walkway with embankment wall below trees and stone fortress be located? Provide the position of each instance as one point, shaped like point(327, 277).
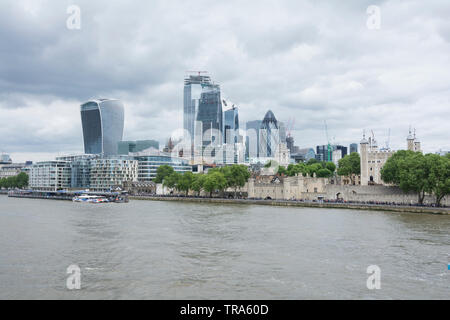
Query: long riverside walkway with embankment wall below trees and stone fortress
point(299, 203)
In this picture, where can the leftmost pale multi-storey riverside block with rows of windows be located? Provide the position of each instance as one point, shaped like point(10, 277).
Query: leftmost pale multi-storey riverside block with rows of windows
point(50, 175)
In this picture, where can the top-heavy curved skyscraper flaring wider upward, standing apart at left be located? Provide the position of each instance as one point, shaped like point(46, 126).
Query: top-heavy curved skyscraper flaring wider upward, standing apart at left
point(102, 122)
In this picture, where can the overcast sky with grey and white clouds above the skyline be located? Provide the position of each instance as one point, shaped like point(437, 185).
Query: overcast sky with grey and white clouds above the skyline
point(301, 59)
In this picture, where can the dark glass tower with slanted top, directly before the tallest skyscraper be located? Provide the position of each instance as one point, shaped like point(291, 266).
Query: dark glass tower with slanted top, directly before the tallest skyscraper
point(210, 116)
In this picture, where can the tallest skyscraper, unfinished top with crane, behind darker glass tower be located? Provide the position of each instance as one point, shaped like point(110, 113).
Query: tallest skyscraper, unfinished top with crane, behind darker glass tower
point(193, 88)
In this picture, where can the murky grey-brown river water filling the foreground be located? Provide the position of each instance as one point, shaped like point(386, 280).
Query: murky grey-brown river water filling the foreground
point(174, 250)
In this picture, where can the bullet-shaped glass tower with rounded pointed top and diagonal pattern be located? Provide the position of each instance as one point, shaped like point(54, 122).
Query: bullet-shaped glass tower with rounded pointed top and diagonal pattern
point(269, 135)
